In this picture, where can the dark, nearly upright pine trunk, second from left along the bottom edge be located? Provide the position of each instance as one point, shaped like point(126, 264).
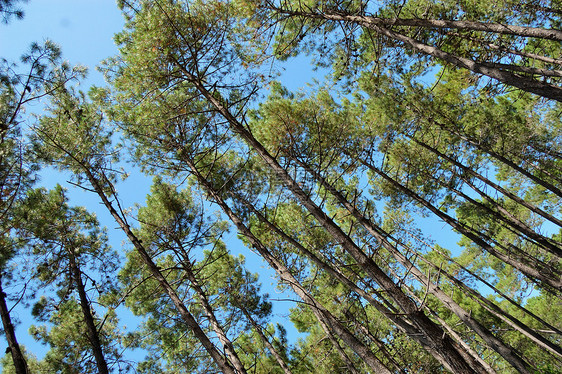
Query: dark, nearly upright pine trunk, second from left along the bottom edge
point(93, 335)
